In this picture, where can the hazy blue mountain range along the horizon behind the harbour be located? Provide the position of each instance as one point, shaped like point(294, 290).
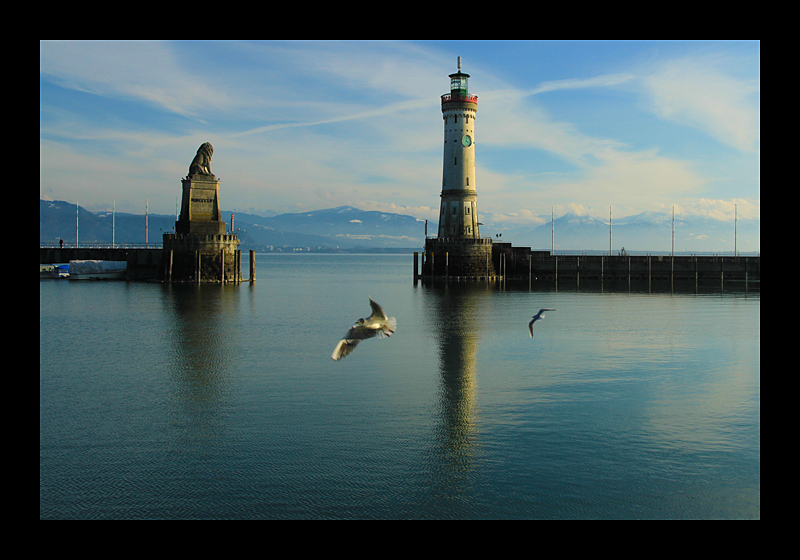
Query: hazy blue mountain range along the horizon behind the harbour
point(346, 228)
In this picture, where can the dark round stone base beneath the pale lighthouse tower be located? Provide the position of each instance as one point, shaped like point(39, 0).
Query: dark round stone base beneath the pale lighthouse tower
point(455, 257)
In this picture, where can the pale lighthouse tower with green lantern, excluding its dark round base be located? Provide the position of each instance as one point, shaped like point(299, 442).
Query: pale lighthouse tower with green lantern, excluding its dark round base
point(458, 212)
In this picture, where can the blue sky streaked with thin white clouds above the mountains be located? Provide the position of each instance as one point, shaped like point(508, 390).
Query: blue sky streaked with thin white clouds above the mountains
point(561, 126)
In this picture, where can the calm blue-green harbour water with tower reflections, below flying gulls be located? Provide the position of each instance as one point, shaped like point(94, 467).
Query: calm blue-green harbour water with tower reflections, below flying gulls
point(160, 401)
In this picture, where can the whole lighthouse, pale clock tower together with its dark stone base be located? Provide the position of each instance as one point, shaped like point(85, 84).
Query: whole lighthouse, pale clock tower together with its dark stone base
point(459, 250)
